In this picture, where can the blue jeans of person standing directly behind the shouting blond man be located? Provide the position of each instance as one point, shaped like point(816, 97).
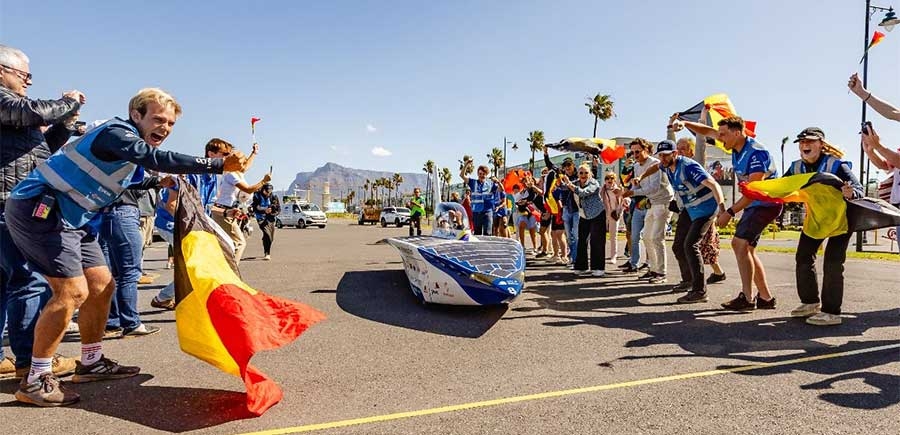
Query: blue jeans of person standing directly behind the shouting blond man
point(121, 241)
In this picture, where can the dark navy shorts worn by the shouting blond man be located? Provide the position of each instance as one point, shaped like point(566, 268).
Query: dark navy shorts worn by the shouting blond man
point(50, 248)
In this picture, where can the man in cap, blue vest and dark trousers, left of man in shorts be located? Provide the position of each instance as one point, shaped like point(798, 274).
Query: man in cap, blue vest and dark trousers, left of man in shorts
point(702, 199)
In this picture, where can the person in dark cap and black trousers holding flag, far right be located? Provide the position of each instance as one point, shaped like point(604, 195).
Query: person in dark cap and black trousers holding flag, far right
point(813, 158)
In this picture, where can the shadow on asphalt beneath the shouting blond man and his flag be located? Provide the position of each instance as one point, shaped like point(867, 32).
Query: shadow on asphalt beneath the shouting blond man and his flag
point(169, 409)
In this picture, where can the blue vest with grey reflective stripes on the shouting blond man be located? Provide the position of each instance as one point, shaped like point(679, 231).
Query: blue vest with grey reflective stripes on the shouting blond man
point(81, 182)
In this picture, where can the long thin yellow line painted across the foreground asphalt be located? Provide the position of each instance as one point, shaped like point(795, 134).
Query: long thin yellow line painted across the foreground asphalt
point(560, 393)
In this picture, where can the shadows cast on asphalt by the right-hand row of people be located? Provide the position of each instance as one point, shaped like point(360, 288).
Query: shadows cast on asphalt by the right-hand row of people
point(695, 330)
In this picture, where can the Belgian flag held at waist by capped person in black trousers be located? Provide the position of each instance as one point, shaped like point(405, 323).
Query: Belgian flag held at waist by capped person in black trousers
point(827, 212)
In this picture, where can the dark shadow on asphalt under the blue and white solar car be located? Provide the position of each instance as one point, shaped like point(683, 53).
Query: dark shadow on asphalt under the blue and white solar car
point(384, 296)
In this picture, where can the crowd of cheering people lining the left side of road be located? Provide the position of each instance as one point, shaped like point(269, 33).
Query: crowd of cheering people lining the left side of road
point(75, 216)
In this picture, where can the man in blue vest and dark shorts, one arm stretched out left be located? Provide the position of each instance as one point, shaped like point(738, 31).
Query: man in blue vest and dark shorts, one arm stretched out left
point(751, 162)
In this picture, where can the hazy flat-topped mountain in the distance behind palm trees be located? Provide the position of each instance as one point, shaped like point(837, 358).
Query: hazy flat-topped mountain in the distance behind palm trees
point(341, 180)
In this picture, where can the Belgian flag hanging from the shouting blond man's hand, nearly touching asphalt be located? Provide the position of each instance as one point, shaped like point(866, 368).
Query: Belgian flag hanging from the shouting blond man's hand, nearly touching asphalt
point(220, 319)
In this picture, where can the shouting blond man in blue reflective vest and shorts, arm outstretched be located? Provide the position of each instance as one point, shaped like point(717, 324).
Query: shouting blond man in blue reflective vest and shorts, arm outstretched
point(48, 212)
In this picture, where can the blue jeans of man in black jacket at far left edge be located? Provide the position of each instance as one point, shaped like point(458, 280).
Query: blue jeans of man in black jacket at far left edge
point(23, 293)
